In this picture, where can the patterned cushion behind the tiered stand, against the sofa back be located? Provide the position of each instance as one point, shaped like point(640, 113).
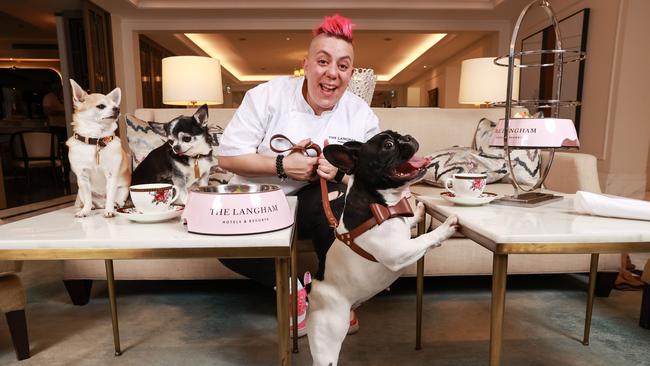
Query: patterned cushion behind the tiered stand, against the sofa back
point(526, 162)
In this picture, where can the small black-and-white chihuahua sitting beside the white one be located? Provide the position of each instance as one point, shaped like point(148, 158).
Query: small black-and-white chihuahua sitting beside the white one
point(186, 157)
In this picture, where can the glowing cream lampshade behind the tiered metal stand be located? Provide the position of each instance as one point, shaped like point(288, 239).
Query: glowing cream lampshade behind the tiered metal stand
point(481, 81)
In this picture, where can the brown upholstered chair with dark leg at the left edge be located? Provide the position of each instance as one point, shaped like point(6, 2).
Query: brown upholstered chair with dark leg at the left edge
point(12, 304)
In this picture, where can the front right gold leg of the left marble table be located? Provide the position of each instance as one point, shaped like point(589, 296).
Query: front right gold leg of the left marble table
point(282, 299)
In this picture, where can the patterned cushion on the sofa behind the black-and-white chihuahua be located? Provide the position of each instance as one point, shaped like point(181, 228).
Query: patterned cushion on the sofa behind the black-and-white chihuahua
point(142, 140)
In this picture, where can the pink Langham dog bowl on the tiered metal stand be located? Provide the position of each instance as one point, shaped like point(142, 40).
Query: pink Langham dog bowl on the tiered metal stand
point(537, 133)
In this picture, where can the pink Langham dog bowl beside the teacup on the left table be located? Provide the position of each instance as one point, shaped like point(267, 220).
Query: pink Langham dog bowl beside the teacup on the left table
point(235, 209)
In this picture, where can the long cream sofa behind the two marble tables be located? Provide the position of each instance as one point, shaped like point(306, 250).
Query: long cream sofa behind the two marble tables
point(435, 129)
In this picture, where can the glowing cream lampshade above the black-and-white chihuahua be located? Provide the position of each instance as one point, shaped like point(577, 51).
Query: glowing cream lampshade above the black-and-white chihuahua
point(191, 80)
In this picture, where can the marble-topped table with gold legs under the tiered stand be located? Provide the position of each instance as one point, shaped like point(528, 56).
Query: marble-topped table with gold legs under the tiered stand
point(551, 228)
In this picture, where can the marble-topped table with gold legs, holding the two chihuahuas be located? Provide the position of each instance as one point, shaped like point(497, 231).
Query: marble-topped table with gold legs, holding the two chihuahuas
point(58, 235)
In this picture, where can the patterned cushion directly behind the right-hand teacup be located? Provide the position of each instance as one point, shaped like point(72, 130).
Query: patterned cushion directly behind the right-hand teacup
point(447, 162)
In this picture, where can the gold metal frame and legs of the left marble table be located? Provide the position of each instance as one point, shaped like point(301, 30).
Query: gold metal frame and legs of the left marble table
point(285, 261)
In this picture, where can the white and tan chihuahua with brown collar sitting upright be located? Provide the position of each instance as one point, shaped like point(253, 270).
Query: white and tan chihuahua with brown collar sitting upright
point(95, 153)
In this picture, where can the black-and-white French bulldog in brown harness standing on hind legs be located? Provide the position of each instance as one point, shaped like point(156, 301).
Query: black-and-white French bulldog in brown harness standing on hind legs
point(381, 171)
